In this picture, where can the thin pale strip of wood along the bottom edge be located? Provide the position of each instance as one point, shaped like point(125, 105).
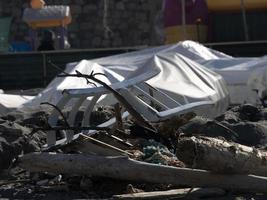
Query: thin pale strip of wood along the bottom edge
point(177, 193)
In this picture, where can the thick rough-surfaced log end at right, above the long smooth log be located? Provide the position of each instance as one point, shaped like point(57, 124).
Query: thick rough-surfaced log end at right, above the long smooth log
point(221, 156)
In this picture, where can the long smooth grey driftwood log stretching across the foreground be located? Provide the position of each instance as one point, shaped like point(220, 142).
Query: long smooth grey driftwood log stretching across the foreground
point(124, 168)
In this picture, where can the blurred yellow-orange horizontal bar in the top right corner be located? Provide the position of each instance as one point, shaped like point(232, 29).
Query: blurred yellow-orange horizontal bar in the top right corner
point(233, 5)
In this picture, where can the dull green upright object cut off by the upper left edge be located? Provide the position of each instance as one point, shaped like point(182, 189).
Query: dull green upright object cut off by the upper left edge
point(5, 23)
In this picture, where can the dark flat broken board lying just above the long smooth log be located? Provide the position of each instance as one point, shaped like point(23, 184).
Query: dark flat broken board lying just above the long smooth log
point(87, 144)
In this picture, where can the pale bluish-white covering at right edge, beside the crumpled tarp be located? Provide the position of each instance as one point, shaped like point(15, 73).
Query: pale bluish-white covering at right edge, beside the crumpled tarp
point(246, 78)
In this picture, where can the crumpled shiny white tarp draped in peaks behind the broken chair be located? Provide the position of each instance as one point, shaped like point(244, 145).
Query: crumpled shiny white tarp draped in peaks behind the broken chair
point(176, 73)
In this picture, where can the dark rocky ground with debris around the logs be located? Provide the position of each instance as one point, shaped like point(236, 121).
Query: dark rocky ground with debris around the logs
point(244, 124)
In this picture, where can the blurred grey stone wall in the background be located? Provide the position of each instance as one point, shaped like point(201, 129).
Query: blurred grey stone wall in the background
point(123, 16)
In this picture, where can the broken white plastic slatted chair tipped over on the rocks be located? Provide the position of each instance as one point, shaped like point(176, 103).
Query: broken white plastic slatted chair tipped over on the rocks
point(153, 104)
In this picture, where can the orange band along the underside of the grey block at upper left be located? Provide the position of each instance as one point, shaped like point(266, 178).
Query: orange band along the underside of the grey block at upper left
point(50, 23)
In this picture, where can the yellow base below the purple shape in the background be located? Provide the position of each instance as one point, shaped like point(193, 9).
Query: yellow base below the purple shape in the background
point(193, 32)
